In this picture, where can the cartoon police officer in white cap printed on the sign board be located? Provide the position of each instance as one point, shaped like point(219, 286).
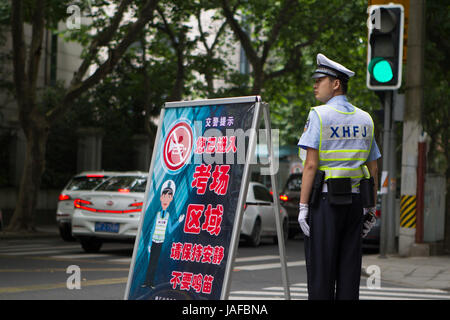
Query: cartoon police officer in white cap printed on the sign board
point(164, 222)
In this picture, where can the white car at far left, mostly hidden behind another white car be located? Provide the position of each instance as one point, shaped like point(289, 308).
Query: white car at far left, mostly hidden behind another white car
point(80, 183)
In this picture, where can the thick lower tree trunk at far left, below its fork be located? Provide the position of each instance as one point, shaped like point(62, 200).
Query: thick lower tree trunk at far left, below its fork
point(36, 134)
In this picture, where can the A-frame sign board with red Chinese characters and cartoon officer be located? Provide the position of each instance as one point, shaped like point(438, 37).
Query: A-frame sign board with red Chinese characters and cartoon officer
point(194, 201)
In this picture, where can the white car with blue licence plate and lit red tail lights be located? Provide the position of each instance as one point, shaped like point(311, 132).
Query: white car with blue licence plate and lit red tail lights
point(110, 211)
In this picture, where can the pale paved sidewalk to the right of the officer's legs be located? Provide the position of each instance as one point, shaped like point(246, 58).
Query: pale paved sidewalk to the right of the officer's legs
point(421, 272)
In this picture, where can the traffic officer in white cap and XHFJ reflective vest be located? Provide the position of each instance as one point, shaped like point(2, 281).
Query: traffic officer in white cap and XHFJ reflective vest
point(338, 140)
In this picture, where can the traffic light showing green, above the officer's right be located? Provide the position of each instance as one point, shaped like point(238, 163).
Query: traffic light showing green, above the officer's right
point(385, 47)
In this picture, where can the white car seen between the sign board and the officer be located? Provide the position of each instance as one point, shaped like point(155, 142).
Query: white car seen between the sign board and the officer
point(259, 218)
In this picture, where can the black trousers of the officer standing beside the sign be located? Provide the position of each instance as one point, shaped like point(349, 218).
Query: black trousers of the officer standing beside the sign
point(333, 250)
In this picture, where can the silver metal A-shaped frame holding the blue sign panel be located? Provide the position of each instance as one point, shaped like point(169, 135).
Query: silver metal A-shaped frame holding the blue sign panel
point(261, 110)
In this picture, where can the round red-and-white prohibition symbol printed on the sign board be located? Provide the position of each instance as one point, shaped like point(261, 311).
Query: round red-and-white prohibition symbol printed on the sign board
point(178, 146)
